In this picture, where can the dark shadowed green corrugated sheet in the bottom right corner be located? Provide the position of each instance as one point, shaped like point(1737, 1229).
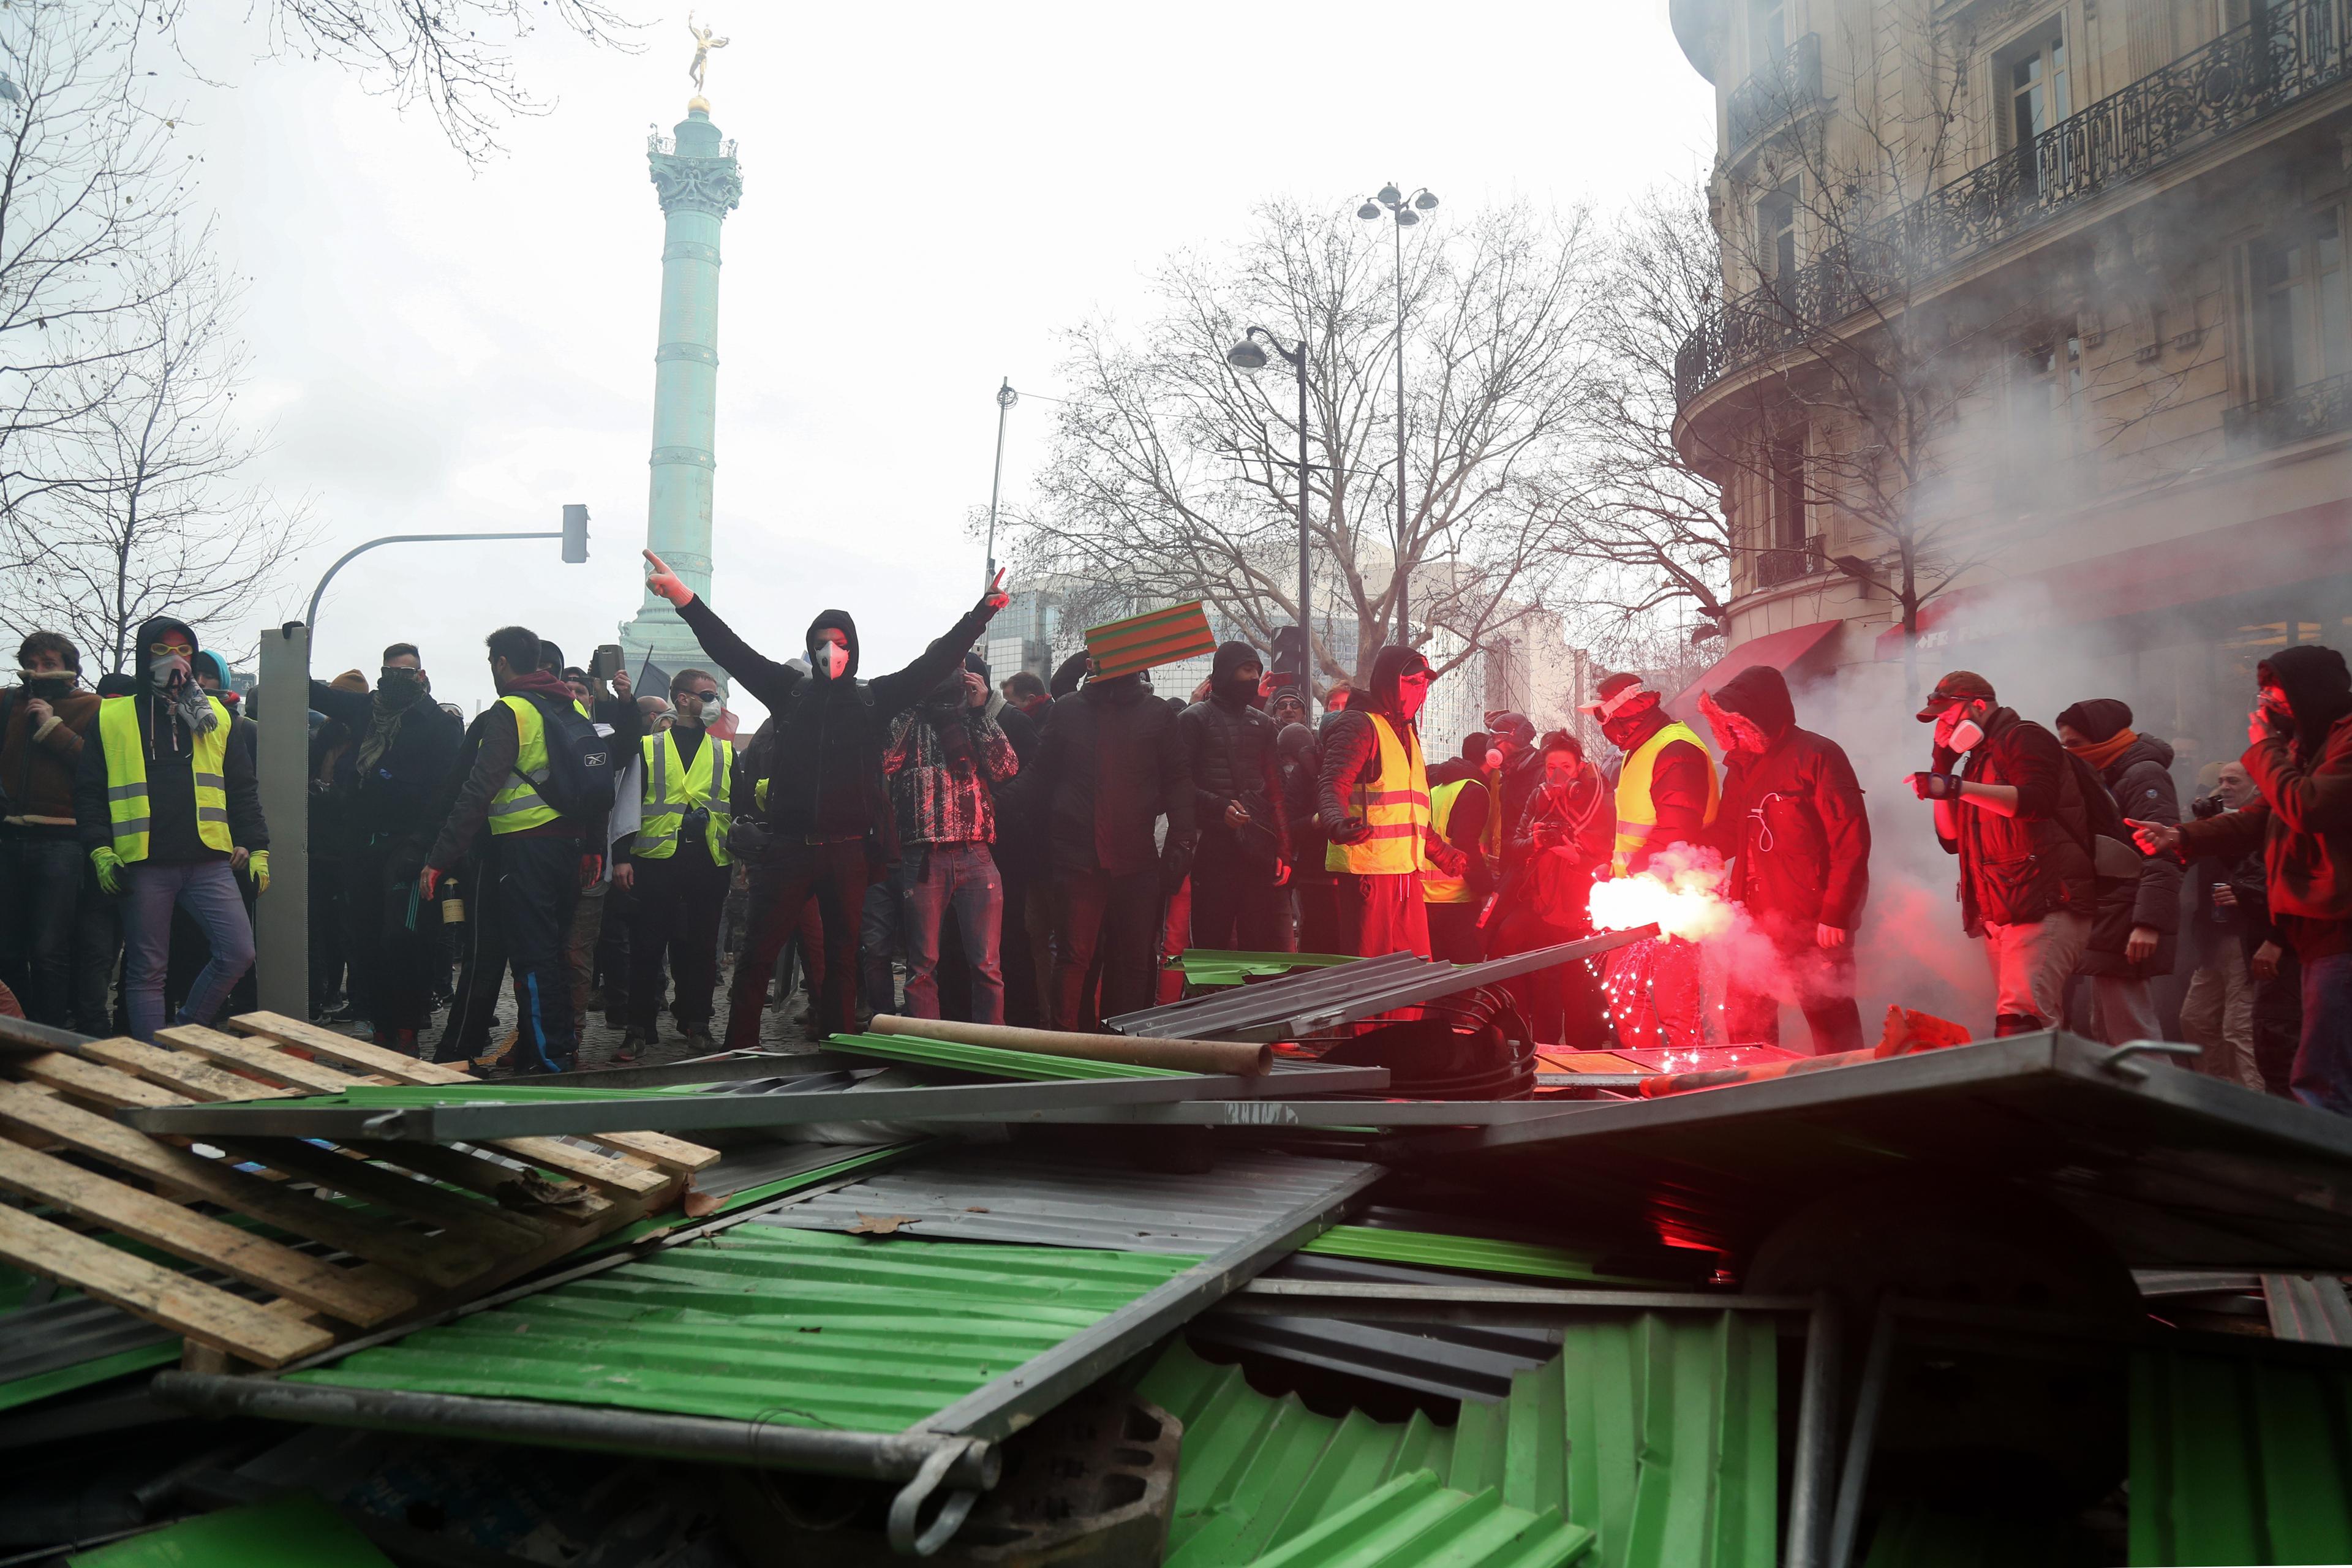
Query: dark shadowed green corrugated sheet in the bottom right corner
point(2240, 1459)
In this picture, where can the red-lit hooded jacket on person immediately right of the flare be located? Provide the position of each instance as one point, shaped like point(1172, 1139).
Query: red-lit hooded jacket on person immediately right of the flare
point(1791, 822)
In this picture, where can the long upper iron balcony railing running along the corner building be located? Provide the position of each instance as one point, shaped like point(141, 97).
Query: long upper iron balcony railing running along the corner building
point(2290, 53)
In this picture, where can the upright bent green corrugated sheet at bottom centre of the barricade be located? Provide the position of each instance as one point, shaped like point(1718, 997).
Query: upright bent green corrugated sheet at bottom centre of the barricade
point(1655, 1433)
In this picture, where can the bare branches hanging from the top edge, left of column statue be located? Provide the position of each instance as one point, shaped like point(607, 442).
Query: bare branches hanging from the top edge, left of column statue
point(457, 58)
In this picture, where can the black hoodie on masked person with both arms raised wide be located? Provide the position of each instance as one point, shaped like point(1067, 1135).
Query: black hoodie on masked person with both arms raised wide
point(827, 765)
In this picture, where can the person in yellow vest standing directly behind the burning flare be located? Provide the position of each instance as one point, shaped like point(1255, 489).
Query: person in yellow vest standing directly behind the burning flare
point(1666, 798)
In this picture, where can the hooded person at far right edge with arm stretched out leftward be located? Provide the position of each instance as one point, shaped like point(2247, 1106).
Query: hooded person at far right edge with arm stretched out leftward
point(2301, 760)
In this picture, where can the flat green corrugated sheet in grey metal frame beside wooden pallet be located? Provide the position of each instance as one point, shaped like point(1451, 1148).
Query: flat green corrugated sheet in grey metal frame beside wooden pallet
point(806, 1329)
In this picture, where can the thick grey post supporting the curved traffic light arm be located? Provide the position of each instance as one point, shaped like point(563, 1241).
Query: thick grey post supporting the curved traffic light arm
point(283, 916)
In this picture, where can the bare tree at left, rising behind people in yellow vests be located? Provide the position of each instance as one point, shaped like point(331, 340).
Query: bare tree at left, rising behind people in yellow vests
point(159, 521)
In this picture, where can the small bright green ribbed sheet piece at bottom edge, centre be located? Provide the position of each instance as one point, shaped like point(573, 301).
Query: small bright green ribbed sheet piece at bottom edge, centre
point(1419, 1525)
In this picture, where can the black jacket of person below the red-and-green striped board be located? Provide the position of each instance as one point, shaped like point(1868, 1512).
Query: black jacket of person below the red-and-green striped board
point(1111, 765)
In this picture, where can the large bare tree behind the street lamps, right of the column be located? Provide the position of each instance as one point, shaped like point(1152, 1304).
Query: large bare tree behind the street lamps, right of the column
point(1175, 476)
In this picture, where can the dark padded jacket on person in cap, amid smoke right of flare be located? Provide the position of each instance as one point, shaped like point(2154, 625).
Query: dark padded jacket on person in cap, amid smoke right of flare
point(2022, 869)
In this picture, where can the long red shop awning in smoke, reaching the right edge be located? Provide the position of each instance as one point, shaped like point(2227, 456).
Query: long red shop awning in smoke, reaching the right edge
point(2243, 558)
